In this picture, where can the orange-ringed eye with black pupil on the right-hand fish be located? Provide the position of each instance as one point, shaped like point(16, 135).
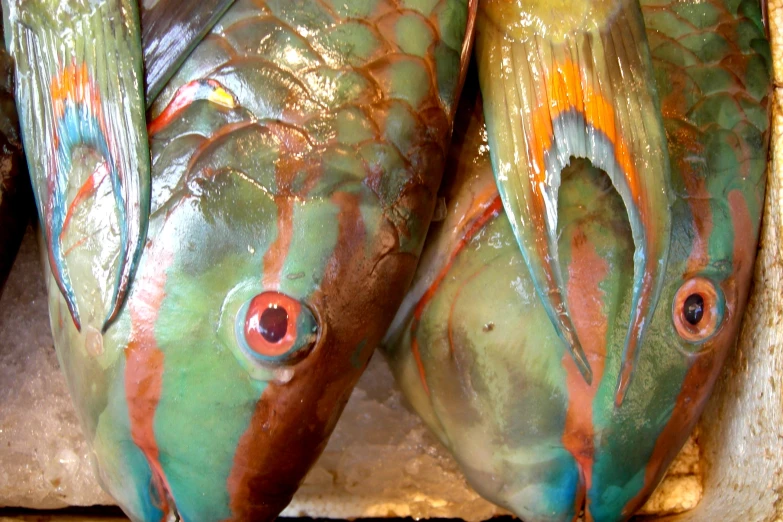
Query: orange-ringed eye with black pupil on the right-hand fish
point(697, 310)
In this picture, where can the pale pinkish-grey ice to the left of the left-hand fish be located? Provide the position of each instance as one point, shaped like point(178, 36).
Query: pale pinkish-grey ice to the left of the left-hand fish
point(44, 460)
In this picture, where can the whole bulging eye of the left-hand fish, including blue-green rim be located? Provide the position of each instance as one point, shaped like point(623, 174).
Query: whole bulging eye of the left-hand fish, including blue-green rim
point(275, 328)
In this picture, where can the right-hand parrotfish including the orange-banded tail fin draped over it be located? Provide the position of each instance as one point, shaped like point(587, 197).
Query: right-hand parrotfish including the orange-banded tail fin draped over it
point(571, 314)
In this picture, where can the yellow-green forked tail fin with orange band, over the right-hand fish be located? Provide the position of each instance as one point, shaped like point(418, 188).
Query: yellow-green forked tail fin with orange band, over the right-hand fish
point(576, 81)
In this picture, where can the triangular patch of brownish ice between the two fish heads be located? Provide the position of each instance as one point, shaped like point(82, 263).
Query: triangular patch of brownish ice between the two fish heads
point(383, 462)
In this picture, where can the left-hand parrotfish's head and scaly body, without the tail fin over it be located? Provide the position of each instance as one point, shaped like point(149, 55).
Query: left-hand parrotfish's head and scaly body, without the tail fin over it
point(291, 194)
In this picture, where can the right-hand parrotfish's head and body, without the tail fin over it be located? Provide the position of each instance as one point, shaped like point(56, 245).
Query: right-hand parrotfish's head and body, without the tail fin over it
point(477, 354)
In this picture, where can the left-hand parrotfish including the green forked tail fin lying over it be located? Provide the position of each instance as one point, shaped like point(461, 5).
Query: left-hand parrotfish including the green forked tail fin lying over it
point(229, 239)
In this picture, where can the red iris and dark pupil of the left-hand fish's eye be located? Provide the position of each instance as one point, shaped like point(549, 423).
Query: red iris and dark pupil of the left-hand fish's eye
point(270, 324)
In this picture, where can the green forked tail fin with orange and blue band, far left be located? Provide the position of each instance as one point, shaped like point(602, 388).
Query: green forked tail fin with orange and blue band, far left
point(80, 88)
